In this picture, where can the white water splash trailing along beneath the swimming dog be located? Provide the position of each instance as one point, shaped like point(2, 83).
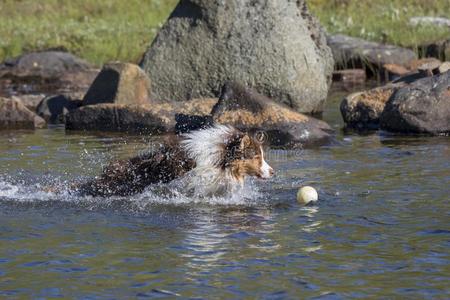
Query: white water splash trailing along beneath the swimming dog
point(176, 193)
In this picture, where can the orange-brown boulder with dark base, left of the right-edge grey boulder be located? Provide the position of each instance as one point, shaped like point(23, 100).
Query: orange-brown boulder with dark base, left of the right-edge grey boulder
point(362, 110)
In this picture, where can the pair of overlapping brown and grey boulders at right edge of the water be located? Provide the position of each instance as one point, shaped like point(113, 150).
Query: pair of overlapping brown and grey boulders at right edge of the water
point(418, 103)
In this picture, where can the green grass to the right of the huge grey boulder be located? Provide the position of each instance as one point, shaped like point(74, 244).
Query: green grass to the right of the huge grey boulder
point(384, 21)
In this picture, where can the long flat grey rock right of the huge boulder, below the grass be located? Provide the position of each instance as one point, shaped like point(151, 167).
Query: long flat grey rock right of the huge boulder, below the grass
point(350, 52)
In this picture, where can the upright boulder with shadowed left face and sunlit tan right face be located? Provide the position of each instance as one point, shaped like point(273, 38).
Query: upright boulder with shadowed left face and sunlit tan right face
point(119, 83)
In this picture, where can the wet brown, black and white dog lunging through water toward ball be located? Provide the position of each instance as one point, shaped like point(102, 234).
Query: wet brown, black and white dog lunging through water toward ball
point(216, 158)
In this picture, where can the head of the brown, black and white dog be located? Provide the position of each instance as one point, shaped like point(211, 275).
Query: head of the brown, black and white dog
point(244, 156)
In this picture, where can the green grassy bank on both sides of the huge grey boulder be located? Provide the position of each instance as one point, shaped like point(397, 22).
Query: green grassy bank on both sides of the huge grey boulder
point(105, 30)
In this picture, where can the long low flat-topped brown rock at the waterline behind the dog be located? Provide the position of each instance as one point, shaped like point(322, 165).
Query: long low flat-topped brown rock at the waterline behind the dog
point(155, 118)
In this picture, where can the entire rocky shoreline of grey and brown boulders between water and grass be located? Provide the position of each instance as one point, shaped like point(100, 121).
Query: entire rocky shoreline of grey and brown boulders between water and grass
point(171, 93)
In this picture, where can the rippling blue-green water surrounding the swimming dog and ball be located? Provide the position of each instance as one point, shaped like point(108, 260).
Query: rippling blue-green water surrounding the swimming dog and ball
point(380, 229)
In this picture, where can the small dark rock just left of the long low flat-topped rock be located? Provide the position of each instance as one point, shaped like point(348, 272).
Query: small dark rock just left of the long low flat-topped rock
point(54, 108)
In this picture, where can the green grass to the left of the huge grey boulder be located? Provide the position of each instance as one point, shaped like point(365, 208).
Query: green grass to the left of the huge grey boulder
point(97, 30)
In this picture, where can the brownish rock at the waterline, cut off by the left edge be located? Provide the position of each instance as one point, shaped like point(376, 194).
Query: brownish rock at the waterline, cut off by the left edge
point(14, 115)
